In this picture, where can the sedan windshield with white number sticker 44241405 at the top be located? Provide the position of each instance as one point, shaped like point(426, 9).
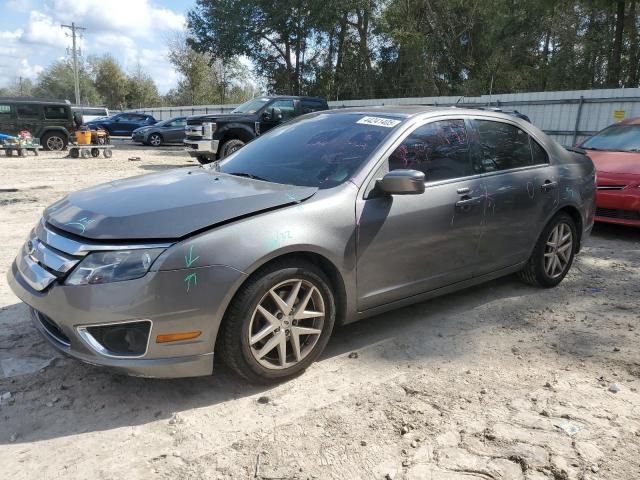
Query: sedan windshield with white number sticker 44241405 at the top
point(321, 151)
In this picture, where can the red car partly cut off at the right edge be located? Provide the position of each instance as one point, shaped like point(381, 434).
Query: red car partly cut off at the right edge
point(615, 151)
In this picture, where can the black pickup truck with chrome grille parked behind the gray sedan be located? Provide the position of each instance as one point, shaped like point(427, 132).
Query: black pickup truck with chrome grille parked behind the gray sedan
point(213, 137)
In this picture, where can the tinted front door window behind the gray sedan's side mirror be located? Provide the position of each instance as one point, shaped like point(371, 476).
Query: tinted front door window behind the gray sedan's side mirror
point(439, 149)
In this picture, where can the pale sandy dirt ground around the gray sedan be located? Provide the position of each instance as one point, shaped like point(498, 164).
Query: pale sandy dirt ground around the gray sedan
point(501, 381)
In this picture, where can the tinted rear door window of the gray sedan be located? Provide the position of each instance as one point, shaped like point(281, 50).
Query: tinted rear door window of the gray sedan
point(502, 146)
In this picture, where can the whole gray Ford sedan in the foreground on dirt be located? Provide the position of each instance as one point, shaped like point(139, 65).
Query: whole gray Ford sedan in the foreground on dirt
point(330, 218)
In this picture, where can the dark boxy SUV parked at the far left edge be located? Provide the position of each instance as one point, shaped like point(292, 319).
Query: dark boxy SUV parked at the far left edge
point(51, 121)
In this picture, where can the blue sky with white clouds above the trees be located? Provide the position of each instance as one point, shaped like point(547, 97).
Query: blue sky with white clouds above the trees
point(133, 31)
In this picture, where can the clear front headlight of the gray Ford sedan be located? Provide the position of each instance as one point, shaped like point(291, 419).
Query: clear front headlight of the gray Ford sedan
point(105, 267)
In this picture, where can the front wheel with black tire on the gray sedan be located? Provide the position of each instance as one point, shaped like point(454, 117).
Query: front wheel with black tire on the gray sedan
point(243, 319)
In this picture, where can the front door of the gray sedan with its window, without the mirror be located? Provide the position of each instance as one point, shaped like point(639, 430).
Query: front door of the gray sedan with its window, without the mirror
point(410, 244)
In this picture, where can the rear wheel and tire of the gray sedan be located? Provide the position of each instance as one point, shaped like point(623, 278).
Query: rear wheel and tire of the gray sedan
point(542, 270)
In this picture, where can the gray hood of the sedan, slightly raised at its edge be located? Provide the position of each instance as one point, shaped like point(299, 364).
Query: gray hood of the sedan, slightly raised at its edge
point(167, 205)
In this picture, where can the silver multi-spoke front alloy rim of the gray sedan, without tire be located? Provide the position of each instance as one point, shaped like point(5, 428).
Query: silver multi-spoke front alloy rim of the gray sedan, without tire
point(286, 324)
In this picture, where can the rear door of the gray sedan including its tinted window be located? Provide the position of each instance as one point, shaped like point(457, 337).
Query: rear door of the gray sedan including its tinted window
point(521, 191)
